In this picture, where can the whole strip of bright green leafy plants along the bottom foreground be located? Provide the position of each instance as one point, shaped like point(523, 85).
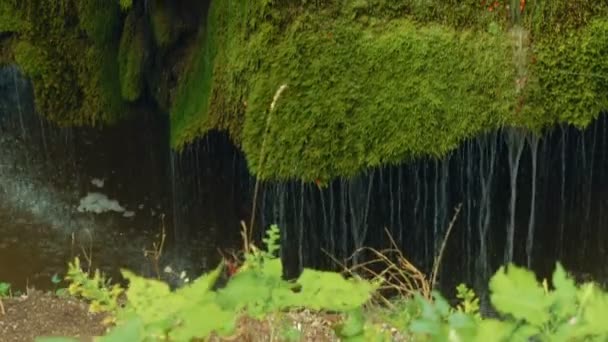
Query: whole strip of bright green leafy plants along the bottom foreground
point(527, 309)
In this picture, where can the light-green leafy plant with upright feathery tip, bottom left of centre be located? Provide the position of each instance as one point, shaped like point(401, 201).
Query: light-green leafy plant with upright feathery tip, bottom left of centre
point(256, 290)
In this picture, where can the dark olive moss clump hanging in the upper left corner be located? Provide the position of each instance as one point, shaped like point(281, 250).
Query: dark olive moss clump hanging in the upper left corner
point(75, 75)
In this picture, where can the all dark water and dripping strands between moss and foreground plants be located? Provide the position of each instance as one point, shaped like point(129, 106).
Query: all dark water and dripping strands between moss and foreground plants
point(527, 199)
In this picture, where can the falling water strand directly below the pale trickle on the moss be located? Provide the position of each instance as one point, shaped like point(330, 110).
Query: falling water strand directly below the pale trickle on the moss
point(515, 144)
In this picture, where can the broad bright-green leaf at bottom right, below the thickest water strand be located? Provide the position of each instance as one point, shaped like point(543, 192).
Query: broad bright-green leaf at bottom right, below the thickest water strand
point(515, 291)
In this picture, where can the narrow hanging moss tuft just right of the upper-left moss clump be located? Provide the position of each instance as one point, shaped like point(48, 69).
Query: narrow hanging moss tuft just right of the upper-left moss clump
point(131, 58)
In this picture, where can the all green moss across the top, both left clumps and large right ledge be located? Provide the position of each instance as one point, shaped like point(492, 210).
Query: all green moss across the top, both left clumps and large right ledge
point(370, 82)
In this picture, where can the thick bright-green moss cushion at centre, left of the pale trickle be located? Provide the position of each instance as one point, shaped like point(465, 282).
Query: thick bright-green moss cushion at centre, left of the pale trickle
point(361, 97)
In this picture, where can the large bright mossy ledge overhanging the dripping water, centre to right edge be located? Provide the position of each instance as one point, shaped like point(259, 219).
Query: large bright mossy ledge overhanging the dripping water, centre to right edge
point(380, 82)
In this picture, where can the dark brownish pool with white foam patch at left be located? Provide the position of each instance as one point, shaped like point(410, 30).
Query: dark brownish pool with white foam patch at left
point(45, 174)
